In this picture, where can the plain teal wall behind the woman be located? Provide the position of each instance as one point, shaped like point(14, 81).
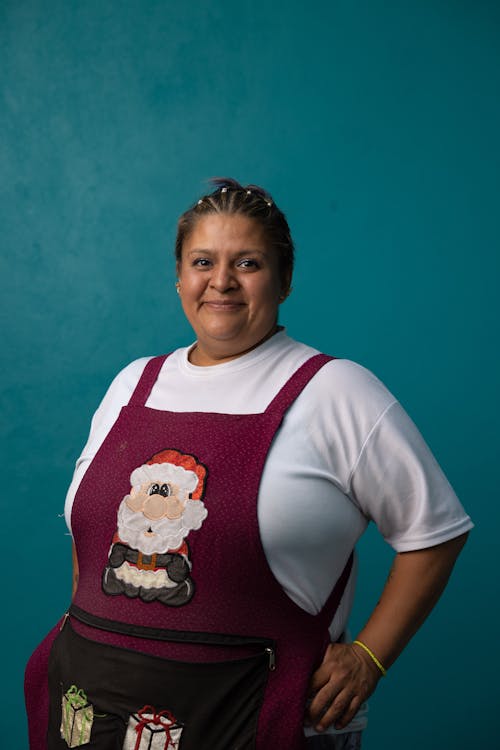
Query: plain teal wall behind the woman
point(376, 127)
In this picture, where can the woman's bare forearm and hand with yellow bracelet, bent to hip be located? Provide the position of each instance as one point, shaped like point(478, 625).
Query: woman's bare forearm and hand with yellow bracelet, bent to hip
point(348, 675)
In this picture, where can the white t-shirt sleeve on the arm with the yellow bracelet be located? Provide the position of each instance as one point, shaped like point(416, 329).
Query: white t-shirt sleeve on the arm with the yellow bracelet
point(399, 485)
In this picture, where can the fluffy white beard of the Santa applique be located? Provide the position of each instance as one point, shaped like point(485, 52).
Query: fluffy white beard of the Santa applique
point(167, 534)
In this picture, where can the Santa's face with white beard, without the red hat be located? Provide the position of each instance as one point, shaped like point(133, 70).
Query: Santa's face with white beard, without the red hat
point(157, 516)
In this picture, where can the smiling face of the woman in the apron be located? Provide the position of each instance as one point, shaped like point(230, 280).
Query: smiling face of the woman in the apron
point(230, 287)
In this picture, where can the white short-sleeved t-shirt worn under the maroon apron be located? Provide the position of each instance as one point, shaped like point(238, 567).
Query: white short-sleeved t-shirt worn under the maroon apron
point(346, 453)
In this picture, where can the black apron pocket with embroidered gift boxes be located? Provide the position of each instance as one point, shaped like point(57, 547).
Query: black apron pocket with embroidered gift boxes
point(110, 698)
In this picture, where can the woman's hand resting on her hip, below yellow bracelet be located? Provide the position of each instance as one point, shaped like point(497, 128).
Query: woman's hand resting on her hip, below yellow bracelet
point(346, 677)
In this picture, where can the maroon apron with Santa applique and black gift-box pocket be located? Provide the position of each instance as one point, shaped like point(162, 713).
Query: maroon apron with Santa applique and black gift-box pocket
point(179, 635)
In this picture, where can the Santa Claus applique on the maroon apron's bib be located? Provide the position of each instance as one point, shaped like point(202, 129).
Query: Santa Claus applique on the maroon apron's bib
point(149, 556)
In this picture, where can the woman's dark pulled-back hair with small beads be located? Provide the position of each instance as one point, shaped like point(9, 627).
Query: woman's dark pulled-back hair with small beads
point(230, 197)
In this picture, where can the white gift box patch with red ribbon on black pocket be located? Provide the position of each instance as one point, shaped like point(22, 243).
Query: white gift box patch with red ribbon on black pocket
point(152, 730)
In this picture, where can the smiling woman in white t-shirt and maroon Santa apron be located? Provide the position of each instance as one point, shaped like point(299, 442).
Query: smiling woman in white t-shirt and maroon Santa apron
point(214, 512)
